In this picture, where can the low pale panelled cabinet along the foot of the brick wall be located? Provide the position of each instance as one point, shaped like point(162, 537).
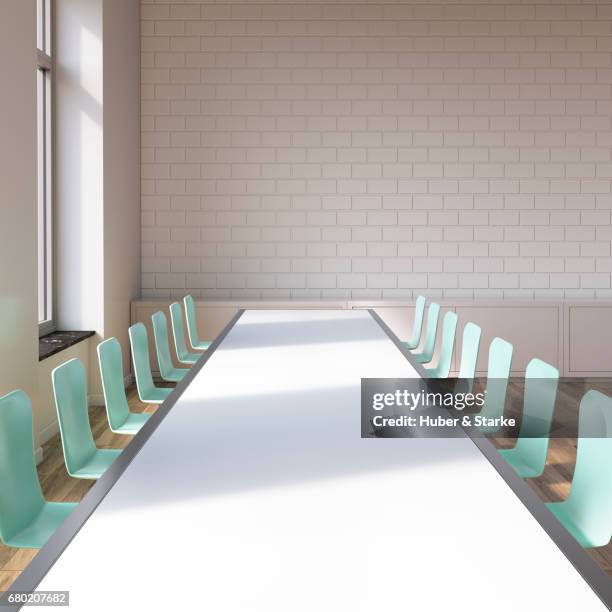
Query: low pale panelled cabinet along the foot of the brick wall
point(574, 337)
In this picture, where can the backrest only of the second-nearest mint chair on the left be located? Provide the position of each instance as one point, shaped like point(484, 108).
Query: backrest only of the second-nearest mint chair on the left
point(69, 388)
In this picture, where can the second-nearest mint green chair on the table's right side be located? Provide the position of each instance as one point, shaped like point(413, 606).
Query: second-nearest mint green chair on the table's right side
point(528, 457)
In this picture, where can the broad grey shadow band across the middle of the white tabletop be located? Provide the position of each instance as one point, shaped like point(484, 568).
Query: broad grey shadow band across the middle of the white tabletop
point(229, 445)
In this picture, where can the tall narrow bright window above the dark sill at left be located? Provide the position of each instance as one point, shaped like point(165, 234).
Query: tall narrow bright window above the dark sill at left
point(44, 75)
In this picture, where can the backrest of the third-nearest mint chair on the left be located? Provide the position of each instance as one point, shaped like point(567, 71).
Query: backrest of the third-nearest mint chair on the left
point(110, 362)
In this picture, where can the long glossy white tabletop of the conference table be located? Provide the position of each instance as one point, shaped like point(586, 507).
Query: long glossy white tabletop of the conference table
point(253, 491)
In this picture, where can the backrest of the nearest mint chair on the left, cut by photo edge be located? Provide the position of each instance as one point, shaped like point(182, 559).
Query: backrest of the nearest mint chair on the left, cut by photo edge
point(21, 498)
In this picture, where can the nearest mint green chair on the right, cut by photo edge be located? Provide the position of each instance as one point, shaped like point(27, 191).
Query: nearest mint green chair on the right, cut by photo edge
point(587, 511)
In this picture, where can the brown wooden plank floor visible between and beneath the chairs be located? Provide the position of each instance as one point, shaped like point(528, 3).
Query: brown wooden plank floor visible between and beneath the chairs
point(553, 485)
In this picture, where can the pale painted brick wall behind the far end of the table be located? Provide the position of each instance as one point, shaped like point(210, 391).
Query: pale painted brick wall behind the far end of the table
point(375, 150)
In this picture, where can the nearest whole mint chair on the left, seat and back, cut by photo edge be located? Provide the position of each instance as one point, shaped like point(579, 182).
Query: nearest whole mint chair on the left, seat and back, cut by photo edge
point(26, 519)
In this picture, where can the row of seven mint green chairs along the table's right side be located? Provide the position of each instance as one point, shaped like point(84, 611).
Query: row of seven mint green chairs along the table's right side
point(587, 511)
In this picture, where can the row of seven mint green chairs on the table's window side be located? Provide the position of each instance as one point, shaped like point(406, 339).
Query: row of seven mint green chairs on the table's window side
point(27, 520)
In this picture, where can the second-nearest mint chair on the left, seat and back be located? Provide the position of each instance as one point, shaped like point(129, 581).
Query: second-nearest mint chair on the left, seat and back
point(83, 459)
